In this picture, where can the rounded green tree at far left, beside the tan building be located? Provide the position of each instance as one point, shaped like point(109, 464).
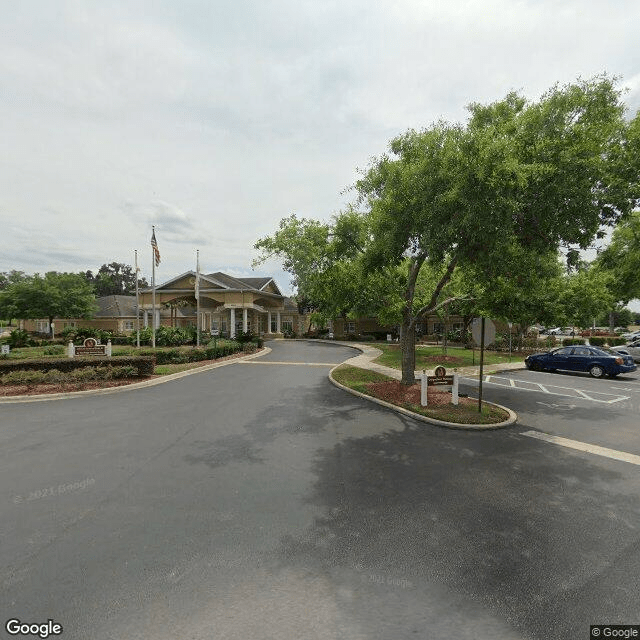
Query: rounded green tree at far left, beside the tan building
point(54, 295)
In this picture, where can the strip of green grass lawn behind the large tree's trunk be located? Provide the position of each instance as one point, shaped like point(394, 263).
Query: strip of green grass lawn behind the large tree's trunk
point(431, 357)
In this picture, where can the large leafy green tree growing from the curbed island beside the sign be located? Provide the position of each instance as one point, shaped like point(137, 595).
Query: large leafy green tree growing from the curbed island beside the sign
point(532, 175)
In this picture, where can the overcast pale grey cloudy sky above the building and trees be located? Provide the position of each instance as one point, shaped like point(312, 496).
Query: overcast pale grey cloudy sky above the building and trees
point(213, 119)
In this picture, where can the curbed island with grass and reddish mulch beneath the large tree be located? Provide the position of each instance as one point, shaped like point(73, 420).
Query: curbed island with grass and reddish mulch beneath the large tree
point(391, 393)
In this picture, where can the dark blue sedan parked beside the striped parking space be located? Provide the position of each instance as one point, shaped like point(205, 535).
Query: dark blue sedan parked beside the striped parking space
point(598, 361)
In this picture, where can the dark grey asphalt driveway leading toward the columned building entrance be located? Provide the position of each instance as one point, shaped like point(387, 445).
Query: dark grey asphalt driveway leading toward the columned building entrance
point(259, 501)
